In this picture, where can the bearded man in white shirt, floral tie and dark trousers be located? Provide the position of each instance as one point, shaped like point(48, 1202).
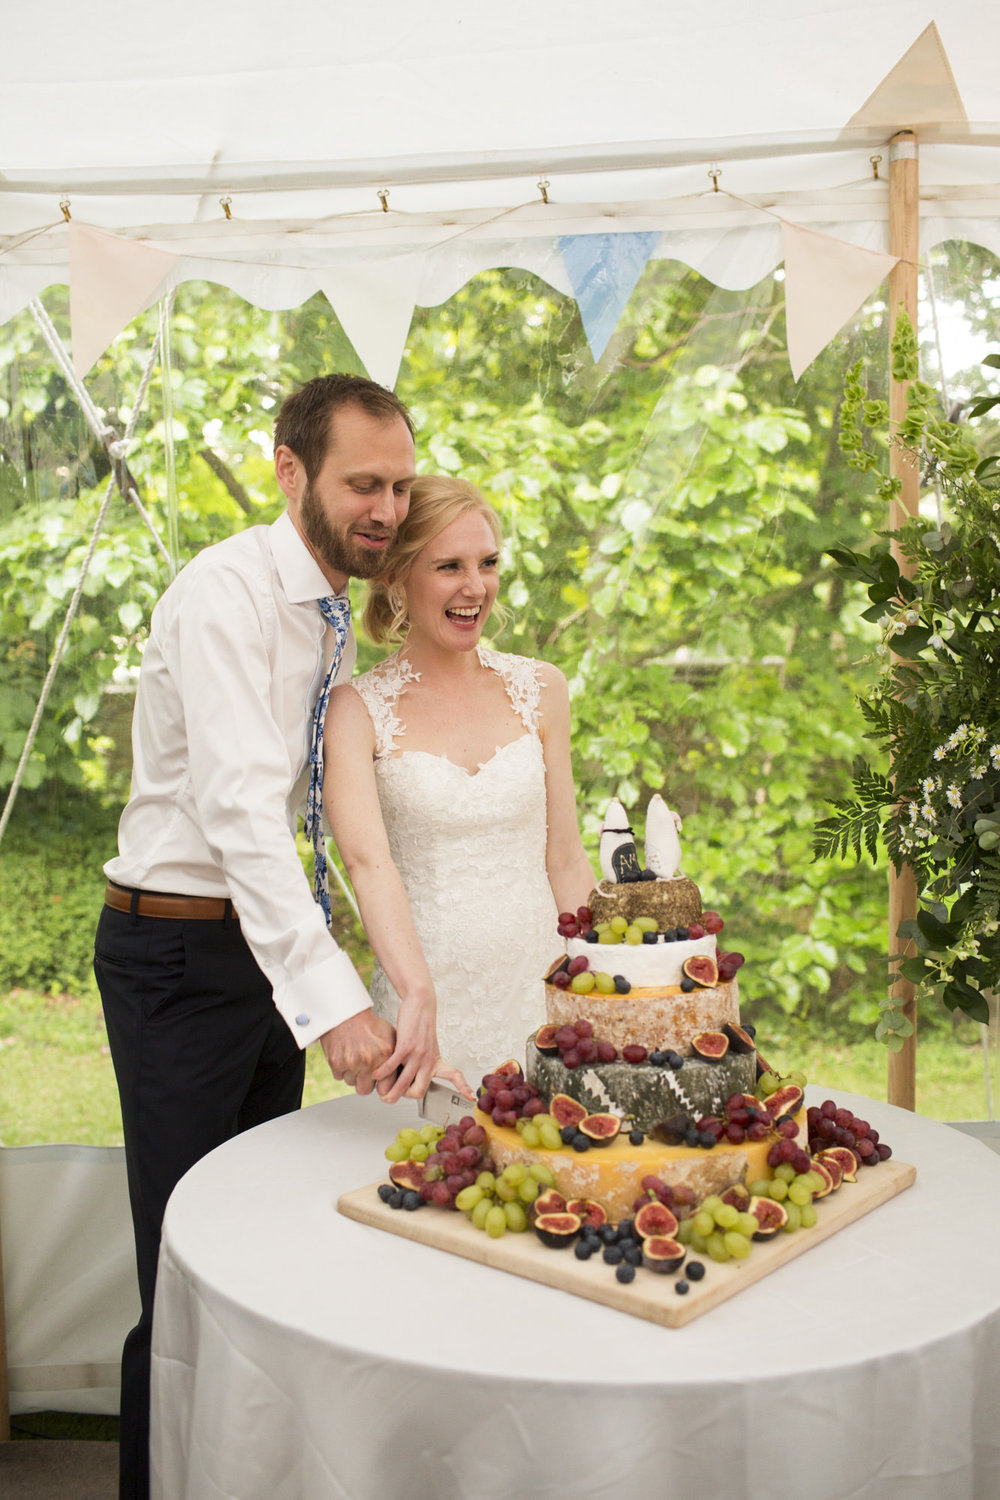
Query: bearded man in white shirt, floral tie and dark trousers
point(215, 965)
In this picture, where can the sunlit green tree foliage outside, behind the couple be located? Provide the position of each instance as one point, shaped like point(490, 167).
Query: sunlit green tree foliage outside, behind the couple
point(666, 511)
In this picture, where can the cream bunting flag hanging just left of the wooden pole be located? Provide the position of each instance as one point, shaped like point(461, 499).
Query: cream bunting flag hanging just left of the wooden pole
point(825, 284)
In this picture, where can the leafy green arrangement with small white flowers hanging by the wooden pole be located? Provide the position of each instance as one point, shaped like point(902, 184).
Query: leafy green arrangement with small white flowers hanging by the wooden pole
point(936, 704)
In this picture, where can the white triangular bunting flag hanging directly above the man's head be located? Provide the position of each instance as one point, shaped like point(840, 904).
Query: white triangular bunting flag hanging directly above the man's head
point(376, 307)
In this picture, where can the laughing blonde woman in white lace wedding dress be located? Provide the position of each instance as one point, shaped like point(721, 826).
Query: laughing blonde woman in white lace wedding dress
point(454, 802)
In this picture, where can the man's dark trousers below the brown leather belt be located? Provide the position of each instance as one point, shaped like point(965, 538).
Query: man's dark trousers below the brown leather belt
point(200, 1055)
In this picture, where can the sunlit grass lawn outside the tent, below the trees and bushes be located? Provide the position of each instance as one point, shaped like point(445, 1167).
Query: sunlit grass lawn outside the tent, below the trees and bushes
point(58, 1082)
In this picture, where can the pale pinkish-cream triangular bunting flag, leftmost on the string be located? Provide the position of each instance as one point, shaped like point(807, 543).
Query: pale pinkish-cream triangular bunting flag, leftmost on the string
point(110, 283)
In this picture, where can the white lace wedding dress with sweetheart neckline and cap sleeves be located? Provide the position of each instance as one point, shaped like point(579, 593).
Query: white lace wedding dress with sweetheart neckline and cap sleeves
point(472, 851)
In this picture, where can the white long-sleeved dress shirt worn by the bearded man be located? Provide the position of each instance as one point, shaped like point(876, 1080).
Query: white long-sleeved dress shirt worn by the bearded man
point(221, 754)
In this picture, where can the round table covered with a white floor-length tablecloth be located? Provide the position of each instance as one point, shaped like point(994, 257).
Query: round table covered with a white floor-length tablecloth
point(299, 1355)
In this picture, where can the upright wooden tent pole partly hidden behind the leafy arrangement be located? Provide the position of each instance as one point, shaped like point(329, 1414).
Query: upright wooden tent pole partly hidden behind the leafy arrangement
point(905, 235)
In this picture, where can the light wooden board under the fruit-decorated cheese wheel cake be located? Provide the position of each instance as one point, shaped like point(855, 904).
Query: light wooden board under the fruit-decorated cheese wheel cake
point(650, 1295)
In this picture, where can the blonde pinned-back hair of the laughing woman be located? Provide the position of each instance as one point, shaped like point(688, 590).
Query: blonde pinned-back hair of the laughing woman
point(436, 502)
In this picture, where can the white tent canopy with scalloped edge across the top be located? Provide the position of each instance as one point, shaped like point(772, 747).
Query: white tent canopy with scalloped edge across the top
point(386, 154)
